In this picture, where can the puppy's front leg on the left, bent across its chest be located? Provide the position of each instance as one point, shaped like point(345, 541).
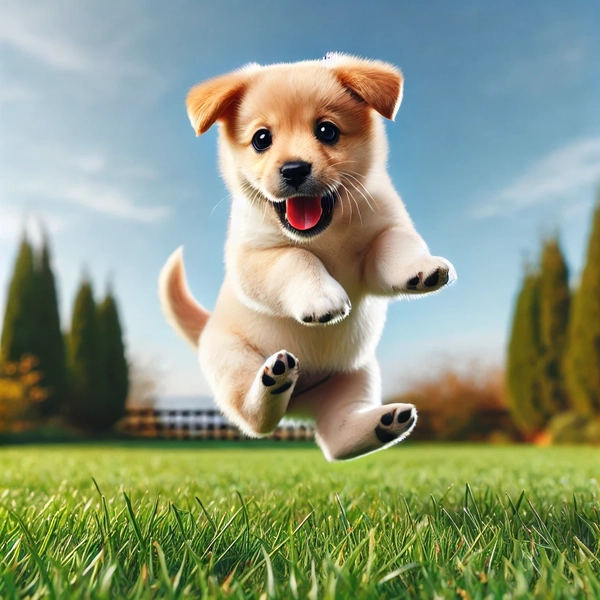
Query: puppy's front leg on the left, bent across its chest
point(289, 282)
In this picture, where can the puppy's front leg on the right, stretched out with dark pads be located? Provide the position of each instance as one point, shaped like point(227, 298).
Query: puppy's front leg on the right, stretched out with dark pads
point(400, 264)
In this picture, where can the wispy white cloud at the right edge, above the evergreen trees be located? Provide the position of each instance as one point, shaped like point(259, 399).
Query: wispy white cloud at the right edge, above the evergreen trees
point(561, 175)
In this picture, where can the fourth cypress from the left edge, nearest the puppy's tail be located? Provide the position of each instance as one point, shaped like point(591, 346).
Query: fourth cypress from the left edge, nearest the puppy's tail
point(114, 361)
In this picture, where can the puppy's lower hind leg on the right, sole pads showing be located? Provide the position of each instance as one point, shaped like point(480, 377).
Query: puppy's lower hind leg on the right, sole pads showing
point(350, 419)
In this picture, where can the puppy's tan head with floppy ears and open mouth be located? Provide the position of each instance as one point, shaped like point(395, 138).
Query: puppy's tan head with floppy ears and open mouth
point(299, 136)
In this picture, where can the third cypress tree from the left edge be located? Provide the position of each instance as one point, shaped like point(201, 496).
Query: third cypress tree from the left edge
point(87, 393)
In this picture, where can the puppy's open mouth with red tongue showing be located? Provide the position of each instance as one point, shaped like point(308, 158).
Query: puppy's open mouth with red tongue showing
point(306, 215)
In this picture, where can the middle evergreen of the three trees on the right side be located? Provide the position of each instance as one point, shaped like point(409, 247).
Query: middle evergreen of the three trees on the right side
point(555, 301)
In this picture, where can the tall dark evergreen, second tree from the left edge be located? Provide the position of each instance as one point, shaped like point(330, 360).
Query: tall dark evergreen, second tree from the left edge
point(49, 345)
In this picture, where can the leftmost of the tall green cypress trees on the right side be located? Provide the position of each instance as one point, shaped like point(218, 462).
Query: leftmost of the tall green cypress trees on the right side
point(523, 361)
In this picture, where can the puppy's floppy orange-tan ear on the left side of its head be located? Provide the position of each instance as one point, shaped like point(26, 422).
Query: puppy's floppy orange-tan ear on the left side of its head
point(208, 101)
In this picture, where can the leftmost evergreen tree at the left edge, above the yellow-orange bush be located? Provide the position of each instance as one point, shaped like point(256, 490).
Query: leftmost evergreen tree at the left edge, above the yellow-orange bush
point(19, 326)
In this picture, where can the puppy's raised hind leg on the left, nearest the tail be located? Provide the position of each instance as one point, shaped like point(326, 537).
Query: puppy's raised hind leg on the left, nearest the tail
point(252, 391)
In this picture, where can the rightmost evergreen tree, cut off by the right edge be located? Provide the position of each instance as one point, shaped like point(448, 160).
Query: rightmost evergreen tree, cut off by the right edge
point(583, 353)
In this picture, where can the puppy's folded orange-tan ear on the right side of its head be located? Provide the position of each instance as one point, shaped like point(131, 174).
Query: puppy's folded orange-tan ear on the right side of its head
point(378, 83)
